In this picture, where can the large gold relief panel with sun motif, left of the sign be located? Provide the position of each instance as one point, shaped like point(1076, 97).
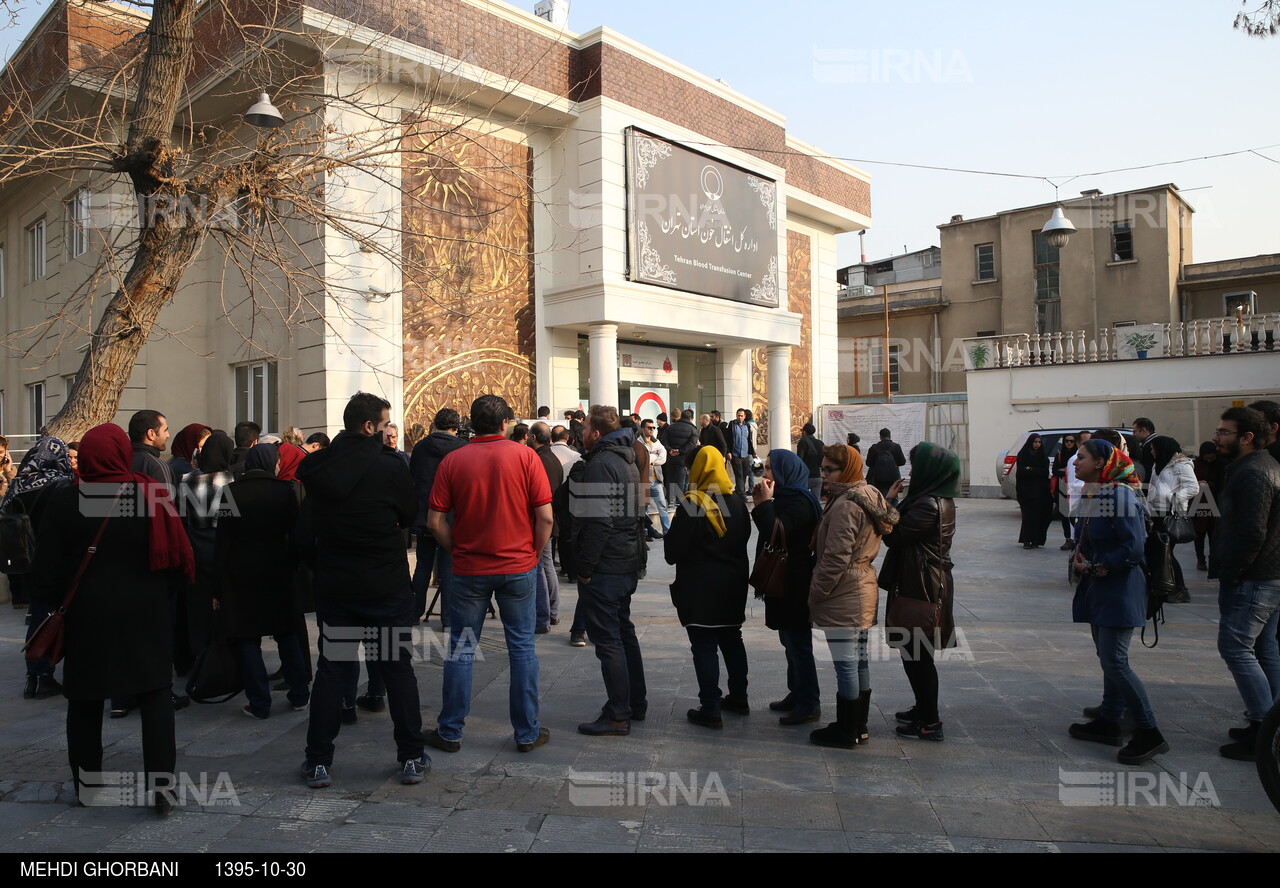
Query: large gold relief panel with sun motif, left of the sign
point(469, 300)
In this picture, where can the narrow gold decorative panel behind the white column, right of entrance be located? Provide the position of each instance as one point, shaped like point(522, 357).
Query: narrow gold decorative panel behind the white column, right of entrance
point(799, 301)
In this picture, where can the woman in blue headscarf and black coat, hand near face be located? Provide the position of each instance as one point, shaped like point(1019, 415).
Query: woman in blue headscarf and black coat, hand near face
point(784, 496)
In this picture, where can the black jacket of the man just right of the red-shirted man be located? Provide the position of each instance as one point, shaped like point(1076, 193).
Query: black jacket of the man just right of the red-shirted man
point(605, 501)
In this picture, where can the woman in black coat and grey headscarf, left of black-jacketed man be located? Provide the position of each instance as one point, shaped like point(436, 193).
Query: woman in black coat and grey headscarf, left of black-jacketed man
point(257, 557)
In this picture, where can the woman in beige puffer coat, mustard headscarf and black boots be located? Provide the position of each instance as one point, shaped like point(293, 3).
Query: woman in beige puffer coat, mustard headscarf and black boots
point(844, 596)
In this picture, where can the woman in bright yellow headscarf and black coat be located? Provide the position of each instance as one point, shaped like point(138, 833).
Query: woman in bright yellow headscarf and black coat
point(707, 543)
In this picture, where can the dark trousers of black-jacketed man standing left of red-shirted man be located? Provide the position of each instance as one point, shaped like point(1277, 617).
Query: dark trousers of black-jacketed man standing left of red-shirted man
point(342, 630)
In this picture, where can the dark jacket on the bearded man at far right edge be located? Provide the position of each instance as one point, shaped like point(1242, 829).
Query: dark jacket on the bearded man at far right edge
point(1247, 537)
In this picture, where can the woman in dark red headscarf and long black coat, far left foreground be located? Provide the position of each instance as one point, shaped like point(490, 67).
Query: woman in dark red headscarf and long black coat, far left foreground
point(118, 633)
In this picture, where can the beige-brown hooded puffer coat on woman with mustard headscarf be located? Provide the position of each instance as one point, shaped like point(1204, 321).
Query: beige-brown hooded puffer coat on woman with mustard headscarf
point(843, 593)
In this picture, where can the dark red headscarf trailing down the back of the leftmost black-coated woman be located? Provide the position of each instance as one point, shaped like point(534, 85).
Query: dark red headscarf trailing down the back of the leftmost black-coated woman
point(106, 457)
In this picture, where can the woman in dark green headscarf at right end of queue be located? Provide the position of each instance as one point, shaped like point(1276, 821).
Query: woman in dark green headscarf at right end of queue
point(918, 566)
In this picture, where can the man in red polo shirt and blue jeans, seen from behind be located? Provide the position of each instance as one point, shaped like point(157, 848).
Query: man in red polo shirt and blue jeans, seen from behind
point(502, 520)
